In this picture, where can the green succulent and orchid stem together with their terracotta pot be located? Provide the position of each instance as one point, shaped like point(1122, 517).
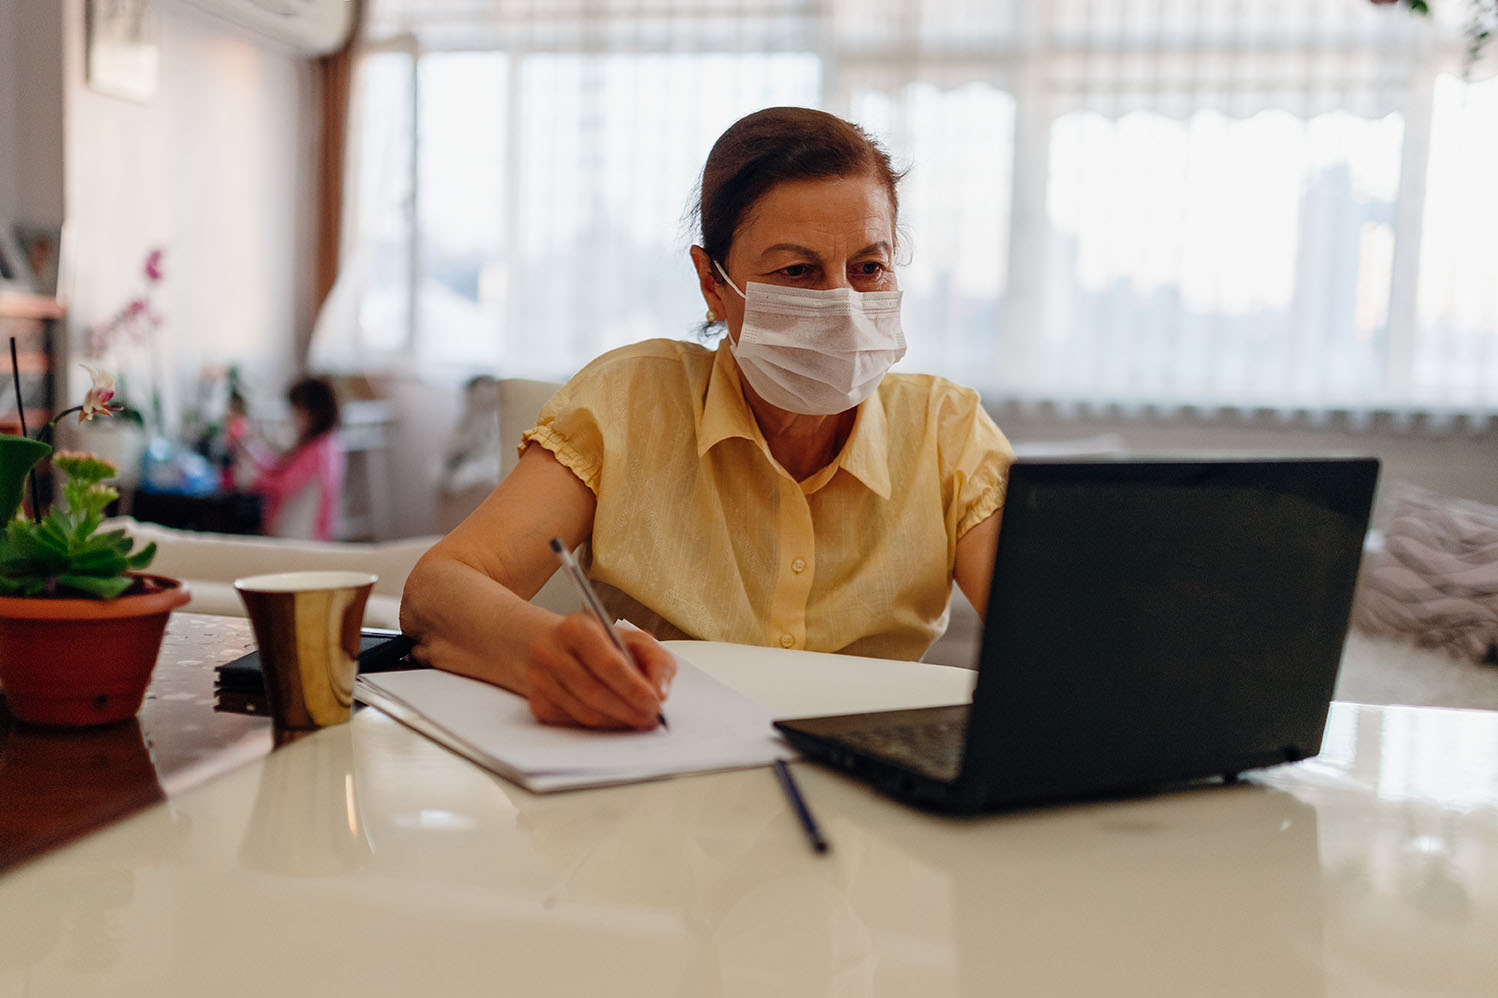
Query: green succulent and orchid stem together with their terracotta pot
point(80, 621)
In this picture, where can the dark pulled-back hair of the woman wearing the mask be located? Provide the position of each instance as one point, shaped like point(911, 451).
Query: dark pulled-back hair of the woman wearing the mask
point(771, 148)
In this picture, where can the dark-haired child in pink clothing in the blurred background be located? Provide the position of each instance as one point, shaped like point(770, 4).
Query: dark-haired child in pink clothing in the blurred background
point(303, 489)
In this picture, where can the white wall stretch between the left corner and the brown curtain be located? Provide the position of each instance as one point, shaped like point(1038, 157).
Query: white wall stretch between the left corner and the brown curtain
point(218, 170)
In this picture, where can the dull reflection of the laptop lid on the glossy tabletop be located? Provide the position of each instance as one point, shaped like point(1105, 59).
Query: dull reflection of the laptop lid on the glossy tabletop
point(1181, 895)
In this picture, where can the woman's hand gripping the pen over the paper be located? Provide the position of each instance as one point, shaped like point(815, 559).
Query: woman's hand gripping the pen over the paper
point(577, 677)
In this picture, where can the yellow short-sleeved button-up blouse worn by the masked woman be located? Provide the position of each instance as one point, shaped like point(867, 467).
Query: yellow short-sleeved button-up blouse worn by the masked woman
point(702, 534)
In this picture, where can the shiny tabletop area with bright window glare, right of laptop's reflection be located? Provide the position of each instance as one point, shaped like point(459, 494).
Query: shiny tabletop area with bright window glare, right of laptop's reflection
point(1407, 802)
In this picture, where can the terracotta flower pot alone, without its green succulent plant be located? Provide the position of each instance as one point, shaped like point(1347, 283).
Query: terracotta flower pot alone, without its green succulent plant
point(79, 663)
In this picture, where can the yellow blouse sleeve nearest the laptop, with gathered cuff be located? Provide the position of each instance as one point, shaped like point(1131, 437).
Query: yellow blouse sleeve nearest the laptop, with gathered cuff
point(976, 459)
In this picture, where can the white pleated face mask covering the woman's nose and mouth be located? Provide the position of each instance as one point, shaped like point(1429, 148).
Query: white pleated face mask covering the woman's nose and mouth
point(817, 353)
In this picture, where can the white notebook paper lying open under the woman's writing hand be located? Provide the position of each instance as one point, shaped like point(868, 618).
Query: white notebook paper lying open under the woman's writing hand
point(712, 728)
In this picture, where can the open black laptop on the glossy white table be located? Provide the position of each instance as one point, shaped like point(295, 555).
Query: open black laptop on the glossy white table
point(1150, 624)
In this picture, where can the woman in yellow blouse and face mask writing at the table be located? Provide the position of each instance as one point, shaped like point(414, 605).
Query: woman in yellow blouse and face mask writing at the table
point(781, 489)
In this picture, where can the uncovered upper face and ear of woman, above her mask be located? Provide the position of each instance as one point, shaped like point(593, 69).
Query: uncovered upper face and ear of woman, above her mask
point(835, 233)
